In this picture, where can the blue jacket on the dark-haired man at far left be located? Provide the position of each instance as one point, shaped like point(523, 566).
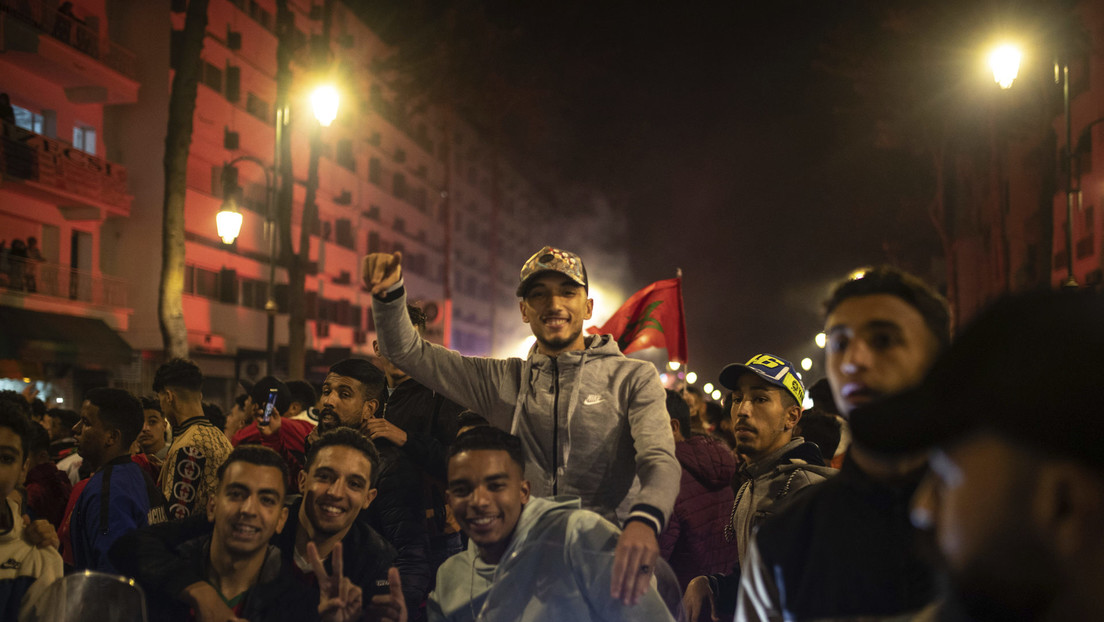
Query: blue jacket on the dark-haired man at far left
point(119, 499)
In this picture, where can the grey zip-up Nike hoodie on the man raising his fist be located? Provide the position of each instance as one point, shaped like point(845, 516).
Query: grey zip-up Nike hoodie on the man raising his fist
point(589, 420)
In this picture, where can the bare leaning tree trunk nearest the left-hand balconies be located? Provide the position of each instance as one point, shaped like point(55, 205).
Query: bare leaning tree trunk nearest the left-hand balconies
point(187, 49)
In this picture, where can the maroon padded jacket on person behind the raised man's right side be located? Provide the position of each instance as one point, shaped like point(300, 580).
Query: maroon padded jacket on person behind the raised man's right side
point(694, 542)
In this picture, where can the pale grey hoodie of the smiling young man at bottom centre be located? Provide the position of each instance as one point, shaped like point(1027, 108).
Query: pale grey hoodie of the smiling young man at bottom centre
point(557, 568)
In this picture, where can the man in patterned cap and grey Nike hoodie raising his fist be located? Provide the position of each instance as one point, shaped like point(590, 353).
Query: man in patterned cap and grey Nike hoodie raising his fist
point(589, 418)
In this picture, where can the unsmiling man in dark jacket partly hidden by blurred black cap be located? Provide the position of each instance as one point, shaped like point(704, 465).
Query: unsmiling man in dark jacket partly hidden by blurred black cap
point(845, 550)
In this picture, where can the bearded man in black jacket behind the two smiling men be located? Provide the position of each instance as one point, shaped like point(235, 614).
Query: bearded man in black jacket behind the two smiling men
point(353, 395)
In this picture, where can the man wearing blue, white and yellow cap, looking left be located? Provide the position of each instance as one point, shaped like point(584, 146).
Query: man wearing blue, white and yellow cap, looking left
point(766, 406)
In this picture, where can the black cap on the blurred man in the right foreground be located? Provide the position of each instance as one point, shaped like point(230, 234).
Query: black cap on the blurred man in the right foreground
point(1027, 370)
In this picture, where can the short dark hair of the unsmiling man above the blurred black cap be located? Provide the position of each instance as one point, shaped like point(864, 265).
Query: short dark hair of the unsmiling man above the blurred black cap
point(912, 291)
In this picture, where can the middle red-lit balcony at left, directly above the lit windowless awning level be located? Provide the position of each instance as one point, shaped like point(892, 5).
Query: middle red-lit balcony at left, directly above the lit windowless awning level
point(83, 187)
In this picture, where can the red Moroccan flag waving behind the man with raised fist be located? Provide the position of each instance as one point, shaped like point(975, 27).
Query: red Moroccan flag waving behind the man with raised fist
point(652, 319)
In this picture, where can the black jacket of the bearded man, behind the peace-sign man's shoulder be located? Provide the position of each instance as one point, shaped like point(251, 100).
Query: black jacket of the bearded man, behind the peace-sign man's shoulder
point(399, 516)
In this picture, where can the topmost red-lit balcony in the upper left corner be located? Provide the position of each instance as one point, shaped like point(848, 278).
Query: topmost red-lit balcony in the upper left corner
point(92, 69)
